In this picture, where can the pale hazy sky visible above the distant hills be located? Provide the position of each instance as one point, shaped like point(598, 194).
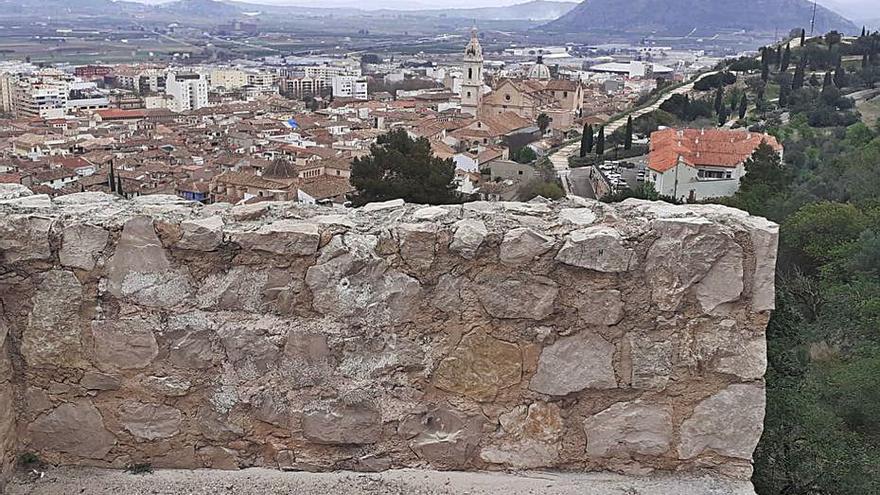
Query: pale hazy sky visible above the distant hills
point(851, 8)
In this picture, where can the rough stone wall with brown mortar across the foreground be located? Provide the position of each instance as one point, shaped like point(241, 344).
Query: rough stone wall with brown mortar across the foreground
point(573, 335)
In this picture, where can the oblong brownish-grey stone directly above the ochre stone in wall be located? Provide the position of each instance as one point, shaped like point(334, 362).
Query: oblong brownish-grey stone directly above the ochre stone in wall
point(518, 296)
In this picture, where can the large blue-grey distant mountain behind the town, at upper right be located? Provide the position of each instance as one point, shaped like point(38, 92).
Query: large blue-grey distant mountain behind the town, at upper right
point(681, 17)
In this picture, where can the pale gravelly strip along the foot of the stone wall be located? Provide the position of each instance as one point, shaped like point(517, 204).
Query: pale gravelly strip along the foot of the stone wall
point(88, 481)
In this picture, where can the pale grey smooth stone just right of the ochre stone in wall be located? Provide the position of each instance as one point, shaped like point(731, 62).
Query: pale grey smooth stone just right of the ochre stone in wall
point(575, 363)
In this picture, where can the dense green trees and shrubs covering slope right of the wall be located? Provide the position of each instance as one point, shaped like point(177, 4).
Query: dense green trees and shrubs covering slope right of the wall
point(822, 429)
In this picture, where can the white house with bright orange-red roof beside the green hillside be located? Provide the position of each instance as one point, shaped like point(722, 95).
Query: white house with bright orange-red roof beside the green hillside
point(694, 164)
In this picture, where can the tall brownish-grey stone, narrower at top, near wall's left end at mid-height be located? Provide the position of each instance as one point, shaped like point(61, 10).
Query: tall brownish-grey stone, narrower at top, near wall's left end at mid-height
point(53, 333)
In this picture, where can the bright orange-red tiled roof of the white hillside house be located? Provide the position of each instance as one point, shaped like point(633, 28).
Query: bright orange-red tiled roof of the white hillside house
point(710, 147)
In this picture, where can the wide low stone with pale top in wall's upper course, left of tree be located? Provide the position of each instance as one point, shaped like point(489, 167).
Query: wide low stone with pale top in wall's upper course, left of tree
point(281, 237)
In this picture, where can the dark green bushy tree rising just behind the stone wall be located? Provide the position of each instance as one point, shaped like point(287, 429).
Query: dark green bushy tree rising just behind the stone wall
point(400, 167)
